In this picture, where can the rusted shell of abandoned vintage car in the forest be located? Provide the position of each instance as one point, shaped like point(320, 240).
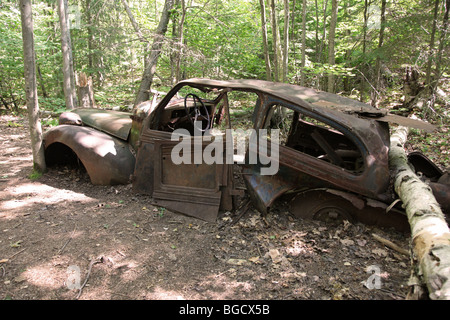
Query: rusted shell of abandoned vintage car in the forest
point(331, 151)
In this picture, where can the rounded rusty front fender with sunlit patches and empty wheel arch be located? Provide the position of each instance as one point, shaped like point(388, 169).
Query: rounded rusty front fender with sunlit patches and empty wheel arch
point(108, 160)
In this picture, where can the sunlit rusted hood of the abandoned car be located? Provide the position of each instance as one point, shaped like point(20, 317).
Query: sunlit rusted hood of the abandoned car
point(115, 123)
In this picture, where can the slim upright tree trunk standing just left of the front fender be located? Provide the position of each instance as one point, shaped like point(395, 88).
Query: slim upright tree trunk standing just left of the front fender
point(37, 146)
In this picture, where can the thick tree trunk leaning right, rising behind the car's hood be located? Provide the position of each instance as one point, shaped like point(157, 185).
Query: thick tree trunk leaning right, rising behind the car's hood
point(152, 58)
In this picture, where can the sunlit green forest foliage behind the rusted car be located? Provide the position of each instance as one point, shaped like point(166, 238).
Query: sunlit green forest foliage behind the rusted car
point(224, 40)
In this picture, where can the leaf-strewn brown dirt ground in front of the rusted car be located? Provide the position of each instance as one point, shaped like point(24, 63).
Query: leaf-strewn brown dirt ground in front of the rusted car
point(62, 238)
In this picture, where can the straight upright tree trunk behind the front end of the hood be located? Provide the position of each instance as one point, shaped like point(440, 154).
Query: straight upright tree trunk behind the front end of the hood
point(66, 46)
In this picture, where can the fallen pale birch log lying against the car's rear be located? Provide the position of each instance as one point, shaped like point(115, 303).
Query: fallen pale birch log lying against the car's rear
point(430, 234)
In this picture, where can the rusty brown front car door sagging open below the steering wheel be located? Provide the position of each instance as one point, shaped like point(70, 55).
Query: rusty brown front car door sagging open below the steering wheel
point(194, 188)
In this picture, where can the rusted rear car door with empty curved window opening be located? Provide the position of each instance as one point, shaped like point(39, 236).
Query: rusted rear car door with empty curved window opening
point(310, 154)
